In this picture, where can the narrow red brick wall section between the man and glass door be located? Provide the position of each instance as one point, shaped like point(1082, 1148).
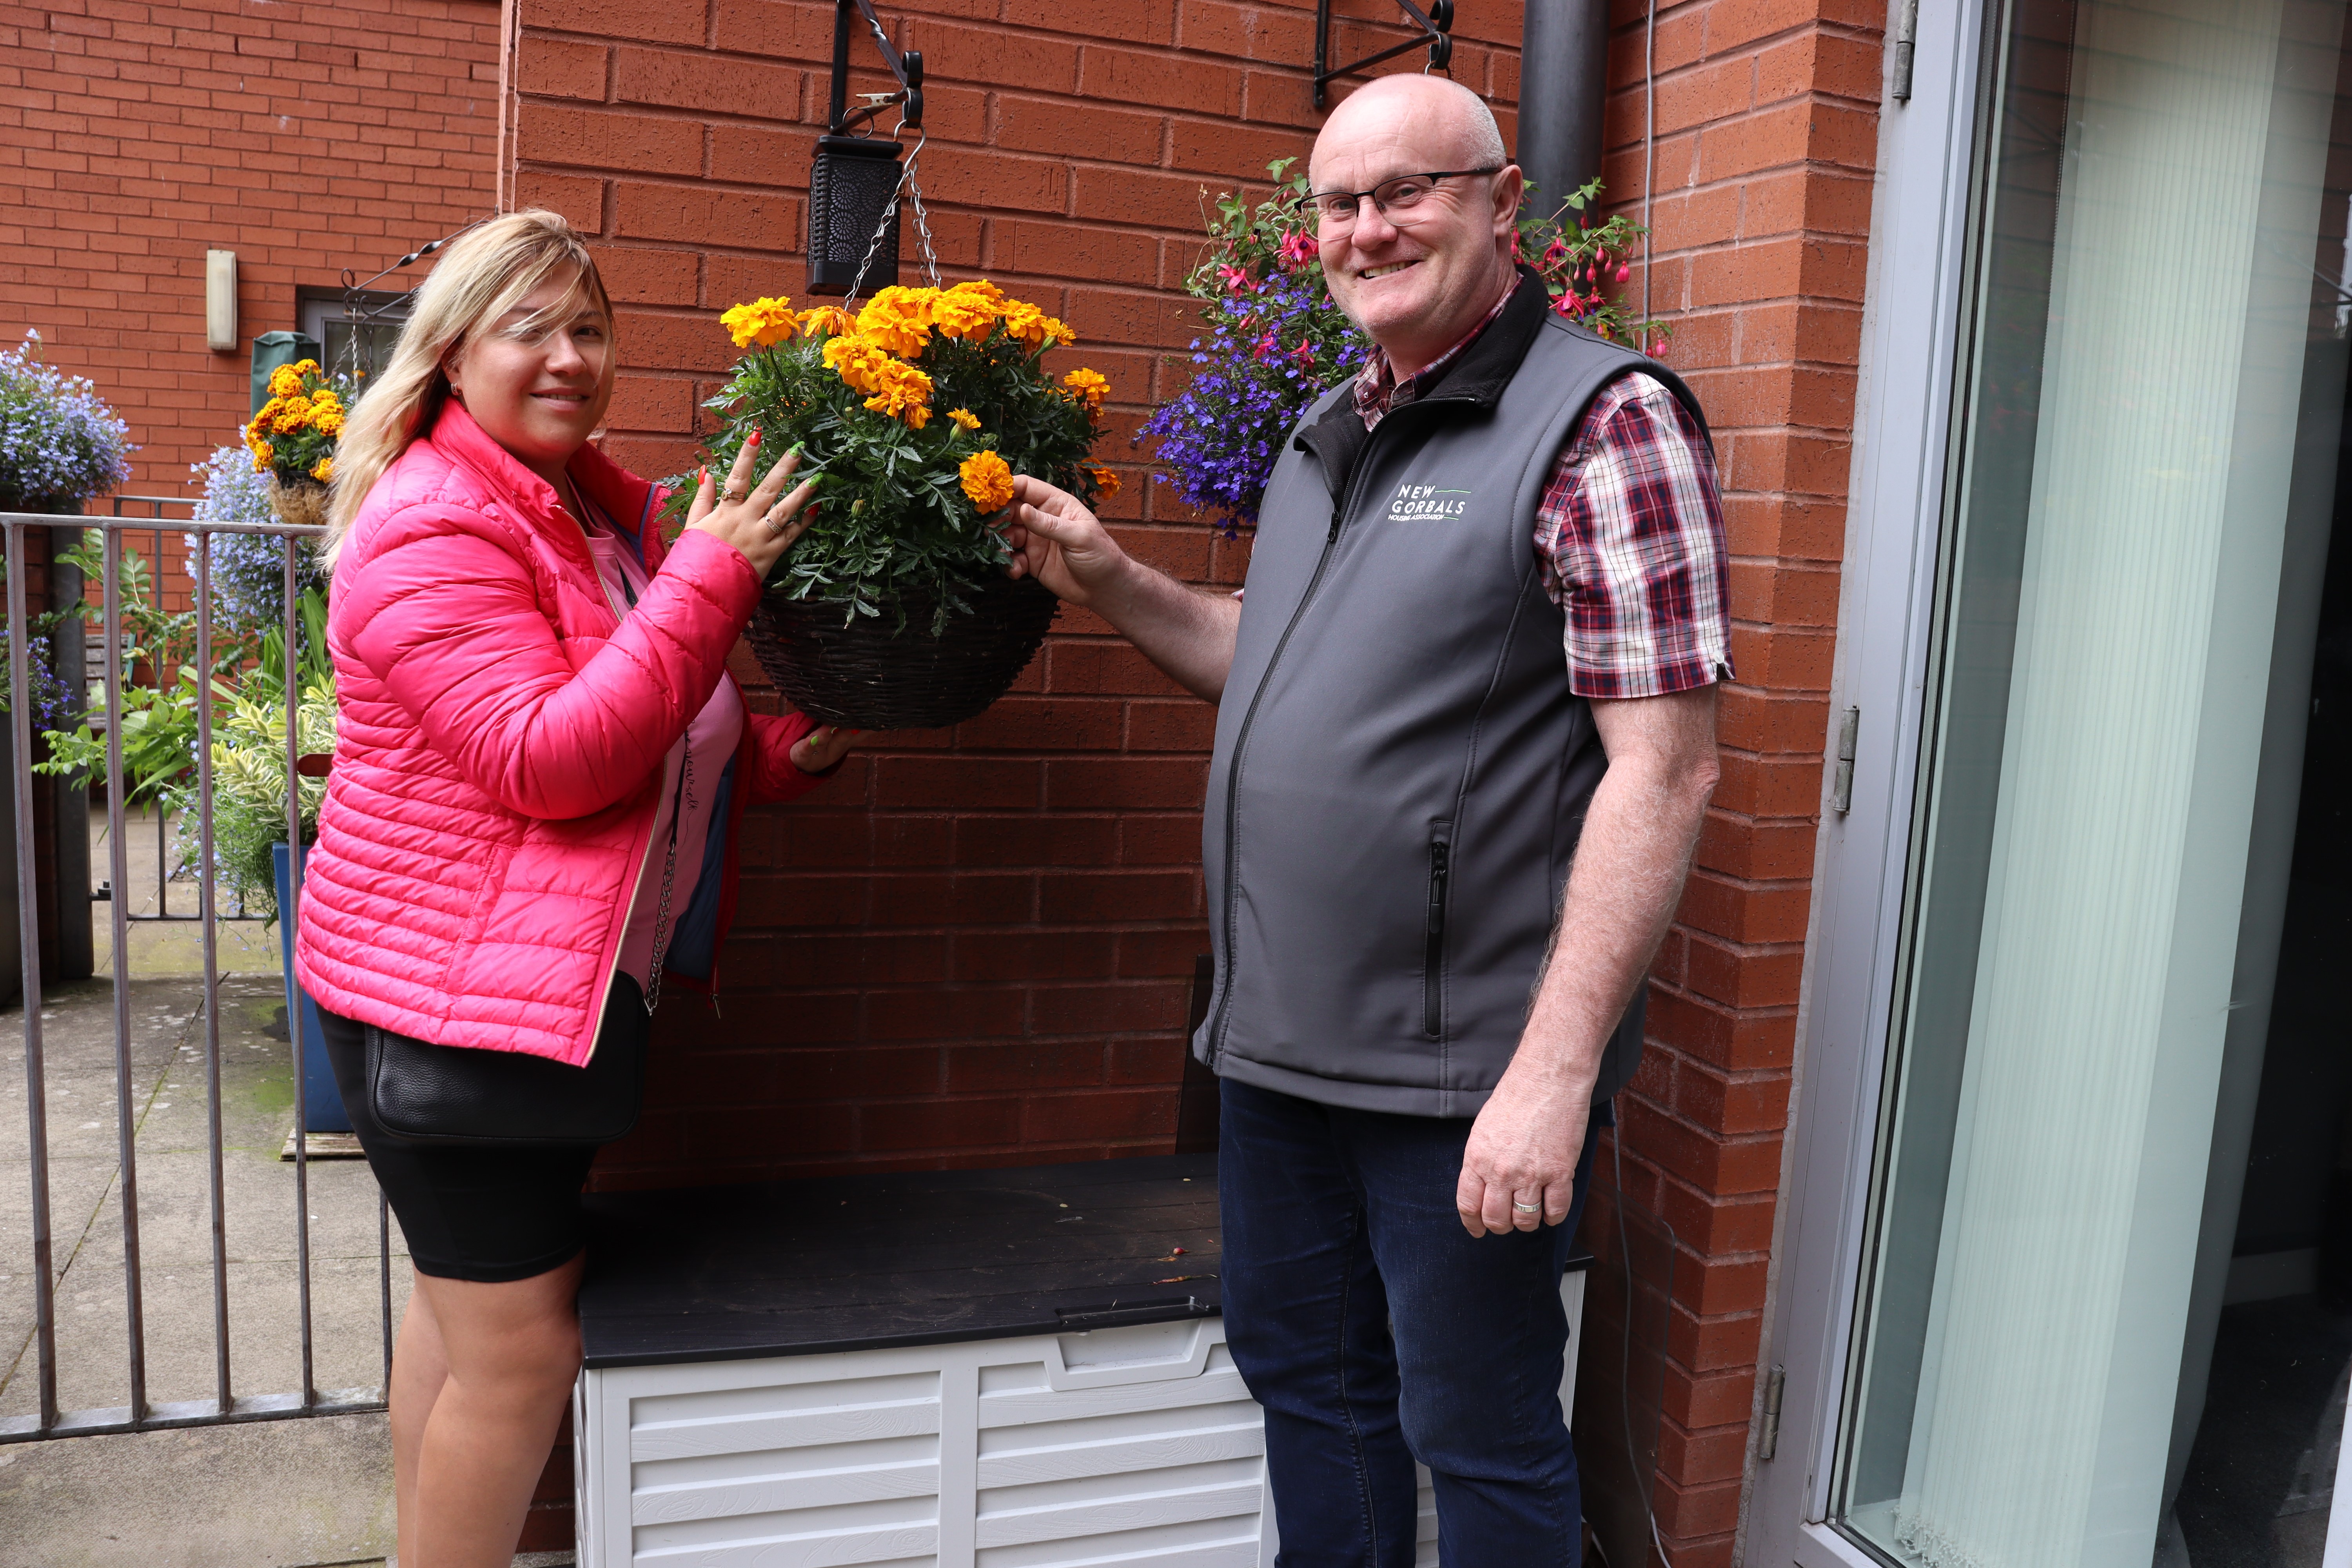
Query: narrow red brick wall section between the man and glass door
point(1768, 140)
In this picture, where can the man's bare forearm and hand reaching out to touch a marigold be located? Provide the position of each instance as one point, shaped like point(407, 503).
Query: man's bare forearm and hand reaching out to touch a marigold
point(1064, 547)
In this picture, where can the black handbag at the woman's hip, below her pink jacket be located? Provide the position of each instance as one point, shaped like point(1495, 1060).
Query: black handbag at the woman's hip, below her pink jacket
point(420, 1092)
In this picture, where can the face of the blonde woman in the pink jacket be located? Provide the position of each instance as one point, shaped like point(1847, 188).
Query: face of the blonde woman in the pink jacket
point(537, 380)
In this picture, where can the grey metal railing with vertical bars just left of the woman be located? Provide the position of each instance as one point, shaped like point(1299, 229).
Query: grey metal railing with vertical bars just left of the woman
point(225, 1405)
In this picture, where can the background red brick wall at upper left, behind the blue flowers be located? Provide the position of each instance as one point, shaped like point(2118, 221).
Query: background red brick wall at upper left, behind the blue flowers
point(305, 138)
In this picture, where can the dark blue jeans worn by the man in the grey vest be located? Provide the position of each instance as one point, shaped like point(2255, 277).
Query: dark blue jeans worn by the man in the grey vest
point(1377, 1332)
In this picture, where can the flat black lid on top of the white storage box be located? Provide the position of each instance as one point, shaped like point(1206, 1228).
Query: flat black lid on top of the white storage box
point(907, 1259)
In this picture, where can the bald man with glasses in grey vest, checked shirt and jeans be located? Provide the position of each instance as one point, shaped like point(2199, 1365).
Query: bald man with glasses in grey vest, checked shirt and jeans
point(1464, 751)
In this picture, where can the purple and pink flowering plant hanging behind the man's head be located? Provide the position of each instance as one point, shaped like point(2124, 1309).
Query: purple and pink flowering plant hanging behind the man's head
point(1276, 340)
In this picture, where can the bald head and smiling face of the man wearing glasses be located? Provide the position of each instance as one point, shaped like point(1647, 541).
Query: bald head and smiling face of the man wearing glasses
point(1422, 286)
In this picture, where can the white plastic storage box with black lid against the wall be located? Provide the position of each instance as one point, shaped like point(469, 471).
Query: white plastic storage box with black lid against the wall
point(977, 1369)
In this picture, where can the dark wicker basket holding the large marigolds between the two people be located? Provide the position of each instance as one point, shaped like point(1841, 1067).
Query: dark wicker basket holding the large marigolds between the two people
point(876, 676)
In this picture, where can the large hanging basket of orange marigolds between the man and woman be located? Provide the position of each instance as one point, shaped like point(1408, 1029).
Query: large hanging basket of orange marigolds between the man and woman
point(914, 417)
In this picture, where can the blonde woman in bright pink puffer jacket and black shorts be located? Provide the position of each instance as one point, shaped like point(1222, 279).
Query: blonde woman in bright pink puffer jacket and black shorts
point(540, 770)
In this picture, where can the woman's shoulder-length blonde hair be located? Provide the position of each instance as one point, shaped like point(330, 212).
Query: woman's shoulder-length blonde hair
point(481, 276)
